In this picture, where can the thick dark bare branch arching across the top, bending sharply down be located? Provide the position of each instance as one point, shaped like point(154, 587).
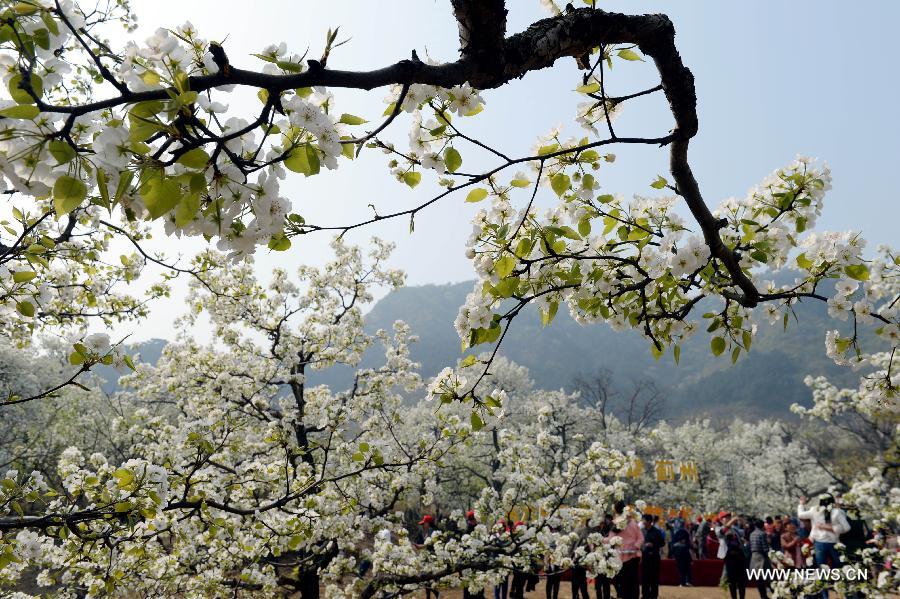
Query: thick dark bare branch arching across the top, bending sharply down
point(488, 61)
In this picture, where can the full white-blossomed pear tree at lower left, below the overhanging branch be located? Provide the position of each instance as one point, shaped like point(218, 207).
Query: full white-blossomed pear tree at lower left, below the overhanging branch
point(236, 475)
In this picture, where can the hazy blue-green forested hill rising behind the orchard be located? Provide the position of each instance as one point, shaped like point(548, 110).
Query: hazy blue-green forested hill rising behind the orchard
point(765, 382)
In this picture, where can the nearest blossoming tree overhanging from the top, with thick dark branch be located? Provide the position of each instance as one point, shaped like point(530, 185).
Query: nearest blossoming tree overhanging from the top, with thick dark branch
point(100, 141)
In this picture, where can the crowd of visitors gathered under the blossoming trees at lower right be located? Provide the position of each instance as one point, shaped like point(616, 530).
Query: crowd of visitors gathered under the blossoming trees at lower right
point(808, 538)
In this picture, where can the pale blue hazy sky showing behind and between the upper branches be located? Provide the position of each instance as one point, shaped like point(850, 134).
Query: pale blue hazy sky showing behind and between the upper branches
point(774, 79)
